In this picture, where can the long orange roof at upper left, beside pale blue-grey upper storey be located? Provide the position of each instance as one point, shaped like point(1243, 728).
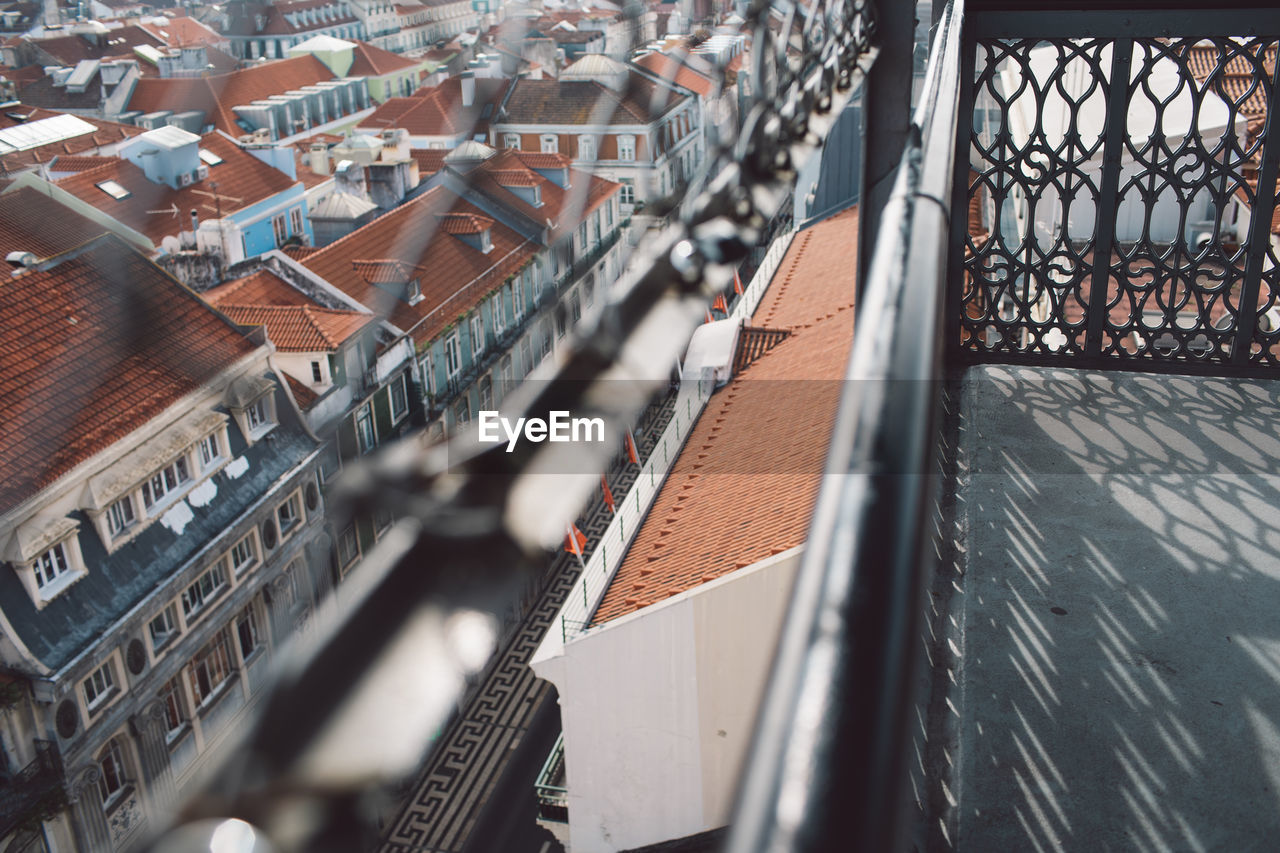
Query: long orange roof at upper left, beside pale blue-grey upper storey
point(217, 94)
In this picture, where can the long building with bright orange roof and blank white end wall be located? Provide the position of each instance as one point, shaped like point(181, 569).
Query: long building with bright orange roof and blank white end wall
point(659, 692)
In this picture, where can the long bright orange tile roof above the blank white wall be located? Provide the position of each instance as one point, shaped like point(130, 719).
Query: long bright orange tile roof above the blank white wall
point(744, 486)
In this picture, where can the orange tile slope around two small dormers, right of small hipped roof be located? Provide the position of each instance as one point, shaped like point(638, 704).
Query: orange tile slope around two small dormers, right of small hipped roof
point(454, 276)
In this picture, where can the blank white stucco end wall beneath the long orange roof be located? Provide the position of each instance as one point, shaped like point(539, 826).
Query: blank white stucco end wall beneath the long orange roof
point(659, 706)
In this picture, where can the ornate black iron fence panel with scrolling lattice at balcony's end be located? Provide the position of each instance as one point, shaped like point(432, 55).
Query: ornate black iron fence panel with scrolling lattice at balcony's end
point(1119, 198)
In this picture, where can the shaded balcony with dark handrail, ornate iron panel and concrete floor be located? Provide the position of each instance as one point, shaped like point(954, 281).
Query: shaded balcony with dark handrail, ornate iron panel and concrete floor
point(1048, 583)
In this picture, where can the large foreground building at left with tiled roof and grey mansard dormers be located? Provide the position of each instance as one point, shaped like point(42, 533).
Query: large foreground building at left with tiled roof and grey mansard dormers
point(159, 521)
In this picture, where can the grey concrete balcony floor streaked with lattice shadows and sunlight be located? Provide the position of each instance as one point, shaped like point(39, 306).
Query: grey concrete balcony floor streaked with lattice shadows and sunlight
point(1118, 628)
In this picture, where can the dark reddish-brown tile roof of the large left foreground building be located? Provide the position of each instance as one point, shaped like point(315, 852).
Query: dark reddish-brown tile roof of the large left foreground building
point(92, 349)
